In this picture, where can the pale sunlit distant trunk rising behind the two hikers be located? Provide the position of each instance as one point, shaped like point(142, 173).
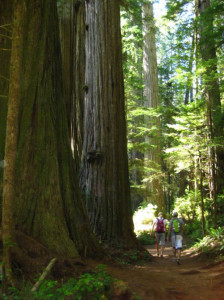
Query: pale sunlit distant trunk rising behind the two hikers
point(151, 95)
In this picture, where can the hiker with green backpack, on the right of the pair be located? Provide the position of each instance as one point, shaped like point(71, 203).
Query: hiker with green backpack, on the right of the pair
point(176, 229)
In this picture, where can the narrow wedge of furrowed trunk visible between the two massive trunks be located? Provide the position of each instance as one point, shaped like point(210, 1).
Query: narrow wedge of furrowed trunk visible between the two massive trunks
point(72, 29)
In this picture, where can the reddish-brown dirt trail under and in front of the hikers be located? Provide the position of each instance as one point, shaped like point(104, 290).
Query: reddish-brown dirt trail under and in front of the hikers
point(197, 278)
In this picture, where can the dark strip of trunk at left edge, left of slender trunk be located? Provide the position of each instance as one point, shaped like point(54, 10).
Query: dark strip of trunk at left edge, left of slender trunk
point(5, 52)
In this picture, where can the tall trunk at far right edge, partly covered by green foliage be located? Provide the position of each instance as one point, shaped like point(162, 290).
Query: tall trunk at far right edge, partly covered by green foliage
point(212, 95)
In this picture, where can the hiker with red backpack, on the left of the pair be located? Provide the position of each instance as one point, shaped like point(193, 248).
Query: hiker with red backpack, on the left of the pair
point(160, 225)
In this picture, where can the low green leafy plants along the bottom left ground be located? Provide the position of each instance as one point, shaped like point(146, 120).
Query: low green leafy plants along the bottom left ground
point(89, 286)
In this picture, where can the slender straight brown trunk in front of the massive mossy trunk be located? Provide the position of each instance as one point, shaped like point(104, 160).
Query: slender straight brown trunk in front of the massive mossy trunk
point(8, 236)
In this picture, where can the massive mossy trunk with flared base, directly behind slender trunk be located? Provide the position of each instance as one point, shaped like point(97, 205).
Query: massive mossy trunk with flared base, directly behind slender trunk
point(48, 205)
